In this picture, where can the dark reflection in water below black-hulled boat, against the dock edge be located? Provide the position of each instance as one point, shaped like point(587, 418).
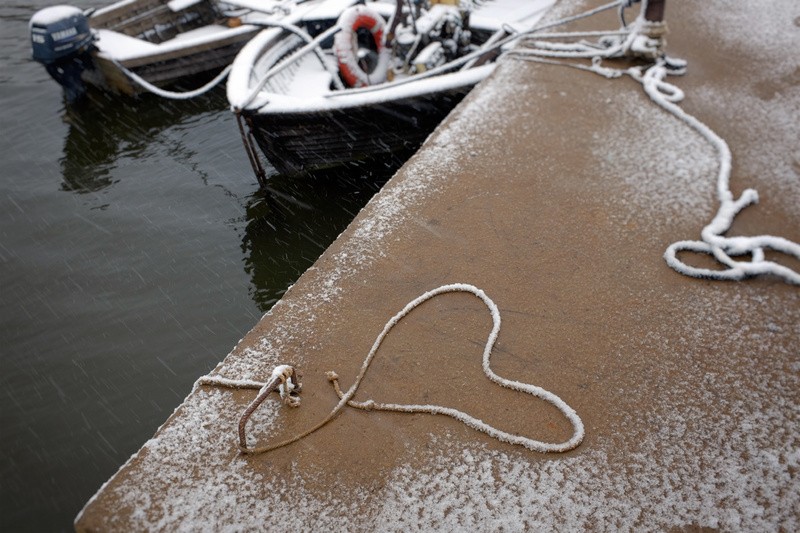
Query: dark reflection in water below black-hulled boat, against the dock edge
point(289, 225)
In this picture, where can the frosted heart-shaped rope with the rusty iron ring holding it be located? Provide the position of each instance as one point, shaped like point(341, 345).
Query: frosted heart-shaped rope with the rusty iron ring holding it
point(284, 378)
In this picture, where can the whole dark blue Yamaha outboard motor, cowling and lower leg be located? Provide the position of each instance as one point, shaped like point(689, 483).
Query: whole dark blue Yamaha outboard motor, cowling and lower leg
point(62, 40)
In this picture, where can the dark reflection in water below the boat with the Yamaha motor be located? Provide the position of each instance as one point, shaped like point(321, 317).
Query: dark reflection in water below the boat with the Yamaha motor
point(103, 128)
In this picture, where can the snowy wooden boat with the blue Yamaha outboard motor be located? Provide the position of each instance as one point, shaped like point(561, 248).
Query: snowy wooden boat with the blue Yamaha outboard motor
point(132, 45)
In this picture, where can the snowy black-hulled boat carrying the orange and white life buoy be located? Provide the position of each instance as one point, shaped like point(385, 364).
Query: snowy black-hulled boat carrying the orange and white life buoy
point(372, 87)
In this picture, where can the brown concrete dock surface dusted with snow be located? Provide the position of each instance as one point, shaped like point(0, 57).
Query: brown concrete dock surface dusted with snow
point(556, 191)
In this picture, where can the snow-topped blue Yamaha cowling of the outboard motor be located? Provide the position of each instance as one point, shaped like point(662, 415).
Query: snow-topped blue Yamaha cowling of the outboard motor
point(59, 32)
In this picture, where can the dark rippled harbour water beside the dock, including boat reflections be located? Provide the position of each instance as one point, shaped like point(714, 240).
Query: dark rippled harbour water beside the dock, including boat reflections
point(135, 251)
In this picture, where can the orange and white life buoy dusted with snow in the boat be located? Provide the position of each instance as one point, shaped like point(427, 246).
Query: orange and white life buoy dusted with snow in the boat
point(345, 46)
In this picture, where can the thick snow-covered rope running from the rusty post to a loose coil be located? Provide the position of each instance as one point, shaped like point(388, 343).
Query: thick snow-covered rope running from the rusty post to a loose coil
point(644, 40)
